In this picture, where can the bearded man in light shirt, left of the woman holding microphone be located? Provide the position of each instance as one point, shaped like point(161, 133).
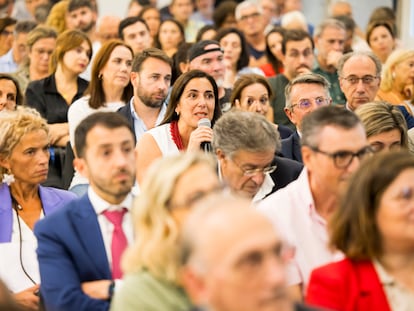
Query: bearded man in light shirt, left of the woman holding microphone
point(151, 79)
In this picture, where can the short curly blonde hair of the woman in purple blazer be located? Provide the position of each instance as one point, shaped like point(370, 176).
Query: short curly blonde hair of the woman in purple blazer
point(14, 124)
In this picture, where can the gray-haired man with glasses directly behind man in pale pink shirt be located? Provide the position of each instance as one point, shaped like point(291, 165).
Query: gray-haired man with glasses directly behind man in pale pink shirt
point(304, 94)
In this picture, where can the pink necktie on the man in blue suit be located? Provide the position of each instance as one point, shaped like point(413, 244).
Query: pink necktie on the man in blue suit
point(119, 241)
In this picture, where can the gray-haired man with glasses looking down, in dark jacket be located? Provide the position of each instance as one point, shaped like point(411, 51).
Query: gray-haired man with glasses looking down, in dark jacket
point(245, 144)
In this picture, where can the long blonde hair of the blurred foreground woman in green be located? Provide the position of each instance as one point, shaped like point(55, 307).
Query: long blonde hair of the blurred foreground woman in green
point(157, 234)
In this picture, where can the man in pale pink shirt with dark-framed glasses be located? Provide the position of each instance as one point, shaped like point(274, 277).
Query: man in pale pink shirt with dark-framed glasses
point(333, 144)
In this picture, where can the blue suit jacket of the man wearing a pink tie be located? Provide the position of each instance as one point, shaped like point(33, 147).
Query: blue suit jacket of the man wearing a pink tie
point(71, 251)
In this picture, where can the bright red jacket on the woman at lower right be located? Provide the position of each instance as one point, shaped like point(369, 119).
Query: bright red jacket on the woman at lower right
point(347, 285)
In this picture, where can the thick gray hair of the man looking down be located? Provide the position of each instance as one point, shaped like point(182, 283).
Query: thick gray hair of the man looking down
point(242, 130)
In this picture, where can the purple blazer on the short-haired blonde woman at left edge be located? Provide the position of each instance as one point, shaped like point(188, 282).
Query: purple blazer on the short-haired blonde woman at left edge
point(52, 199)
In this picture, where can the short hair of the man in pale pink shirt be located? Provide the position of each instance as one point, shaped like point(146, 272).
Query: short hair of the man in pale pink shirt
point(314, 122)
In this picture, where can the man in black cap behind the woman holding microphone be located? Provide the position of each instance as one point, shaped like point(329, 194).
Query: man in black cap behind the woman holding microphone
point(207, 56)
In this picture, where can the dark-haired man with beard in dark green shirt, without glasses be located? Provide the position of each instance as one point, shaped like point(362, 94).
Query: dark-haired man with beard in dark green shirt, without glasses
point(297, 49)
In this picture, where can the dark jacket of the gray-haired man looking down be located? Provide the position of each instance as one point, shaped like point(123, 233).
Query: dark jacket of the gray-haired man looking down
point(287, 171)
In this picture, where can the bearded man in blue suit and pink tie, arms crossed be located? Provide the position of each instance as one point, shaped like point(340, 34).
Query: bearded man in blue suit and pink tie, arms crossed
point(77, 259)
